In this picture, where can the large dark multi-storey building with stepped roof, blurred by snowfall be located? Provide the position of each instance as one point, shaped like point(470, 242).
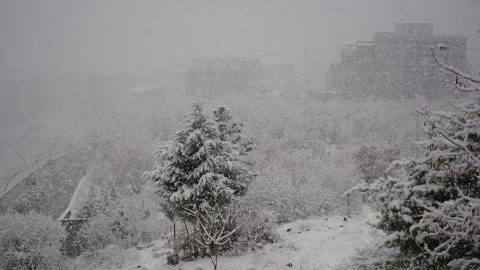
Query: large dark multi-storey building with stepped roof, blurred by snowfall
point(396, 64)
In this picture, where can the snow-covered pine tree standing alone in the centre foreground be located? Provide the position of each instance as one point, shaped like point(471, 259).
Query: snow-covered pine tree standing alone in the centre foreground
point(198, 160)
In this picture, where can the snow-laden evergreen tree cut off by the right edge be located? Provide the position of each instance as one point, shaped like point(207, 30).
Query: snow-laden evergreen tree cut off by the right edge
point(433, 214)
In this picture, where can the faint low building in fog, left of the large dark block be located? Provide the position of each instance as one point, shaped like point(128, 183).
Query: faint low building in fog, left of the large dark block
point(259, 75)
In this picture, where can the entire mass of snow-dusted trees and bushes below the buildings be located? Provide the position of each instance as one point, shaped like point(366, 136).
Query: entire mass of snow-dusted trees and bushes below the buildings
point(224, 182)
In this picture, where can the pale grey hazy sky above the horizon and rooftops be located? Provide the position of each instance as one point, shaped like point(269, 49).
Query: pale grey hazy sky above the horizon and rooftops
point(122, 33)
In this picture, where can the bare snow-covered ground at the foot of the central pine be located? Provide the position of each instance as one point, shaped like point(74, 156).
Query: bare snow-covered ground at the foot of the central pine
point(309, 244)
